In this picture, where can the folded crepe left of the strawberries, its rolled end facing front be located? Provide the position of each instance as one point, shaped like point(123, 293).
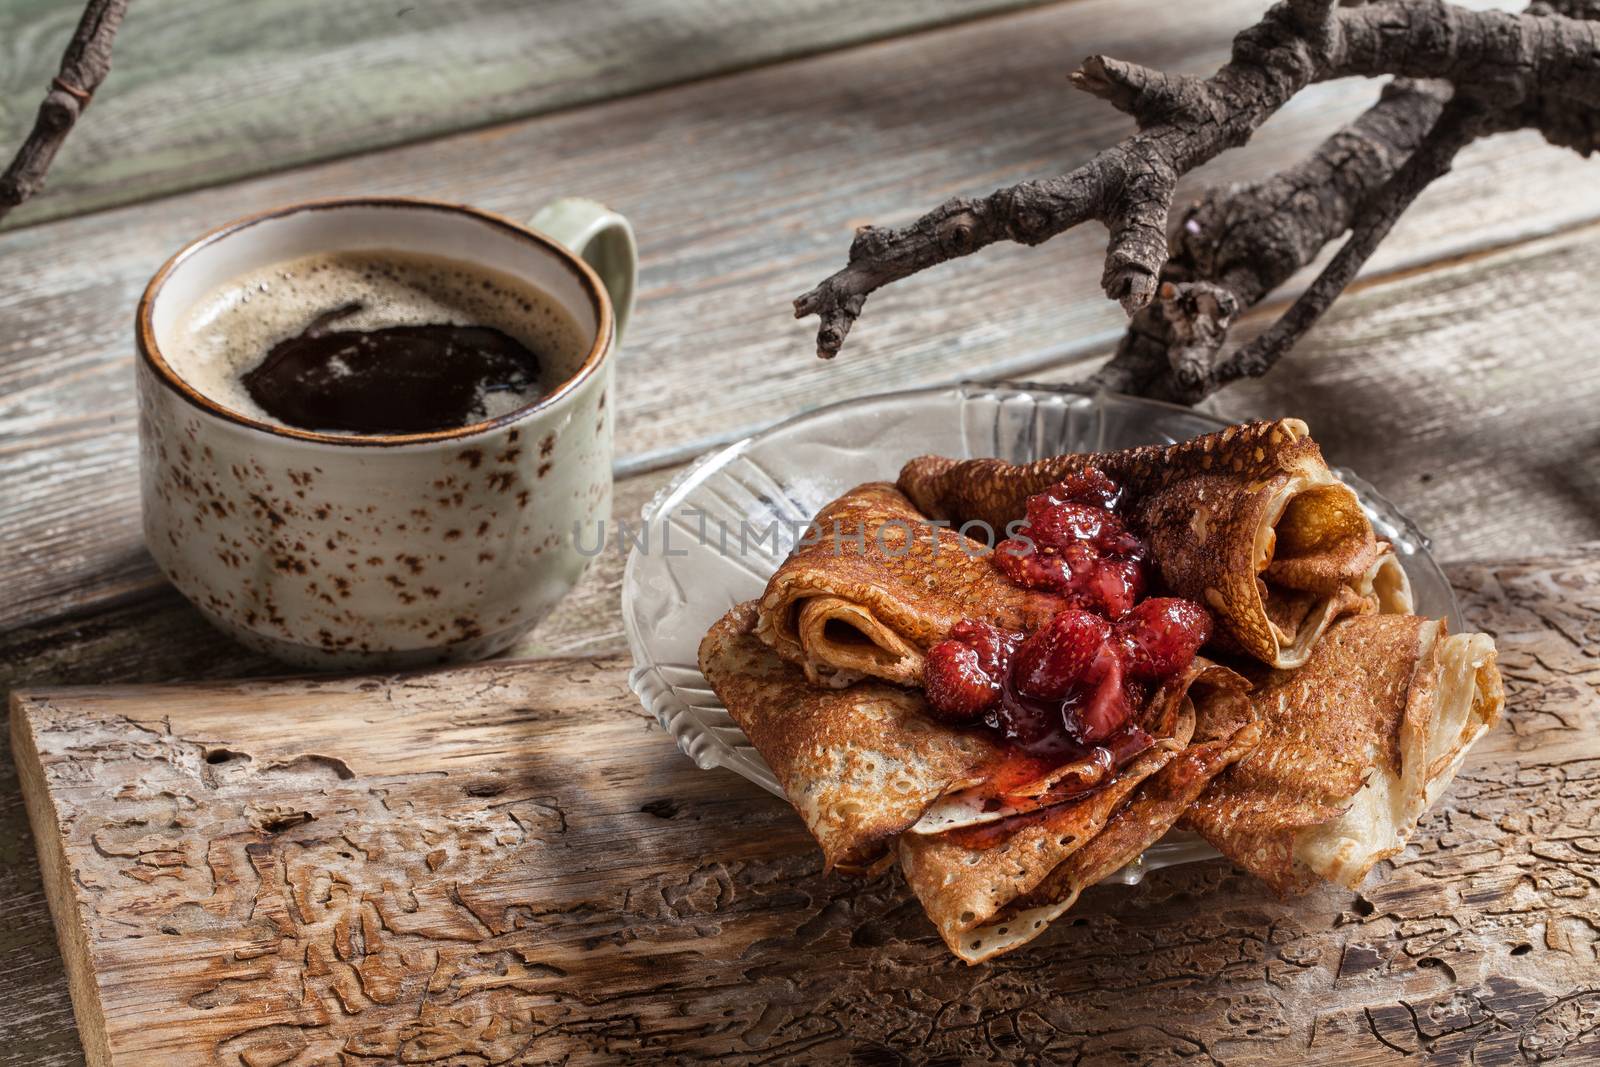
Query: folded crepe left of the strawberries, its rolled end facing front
point(876, 586)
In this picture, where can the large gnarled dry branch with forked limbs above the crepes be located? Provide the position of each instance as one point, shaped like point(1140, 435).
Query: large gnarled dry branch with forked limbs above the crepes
point(1462, 76)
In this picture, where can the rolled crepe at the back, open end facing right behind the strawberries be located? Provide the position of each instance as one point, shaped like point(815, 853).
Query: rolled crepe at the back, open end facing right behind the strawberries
point(1249, 521)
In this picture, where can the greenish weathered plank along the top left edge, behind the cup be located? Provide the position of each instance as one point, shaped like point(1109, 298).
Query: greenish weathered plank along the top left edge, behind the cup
point(204, 94)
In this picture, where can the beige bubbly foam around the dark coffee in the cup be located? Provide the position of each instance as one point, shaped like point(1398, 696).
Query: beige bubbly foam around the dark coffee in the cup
point(231, 330)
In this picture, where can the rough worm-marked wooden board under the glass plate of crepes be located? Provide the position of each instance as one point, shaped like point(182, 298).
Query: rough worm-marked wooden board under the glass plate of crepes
point(513, 865)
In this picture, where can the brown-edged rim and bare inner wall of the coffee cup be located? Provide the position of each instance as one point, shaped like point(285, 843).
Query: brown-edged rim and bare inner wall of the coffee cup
point(151, 354)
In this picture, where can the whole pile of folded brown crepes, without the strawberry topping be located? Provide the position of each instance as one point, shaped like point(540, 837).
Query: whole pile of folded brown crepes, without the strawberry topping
point(1306, 740)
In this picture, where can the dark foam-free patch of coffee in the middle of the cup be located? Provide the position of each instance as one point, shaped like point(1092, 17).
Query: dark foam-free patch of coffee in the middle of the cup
point(391, 380)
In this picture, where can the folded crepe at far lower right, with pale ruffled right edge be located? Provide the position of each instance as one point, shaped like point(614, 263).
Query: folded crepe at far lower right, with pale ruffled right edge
point(1356, 746)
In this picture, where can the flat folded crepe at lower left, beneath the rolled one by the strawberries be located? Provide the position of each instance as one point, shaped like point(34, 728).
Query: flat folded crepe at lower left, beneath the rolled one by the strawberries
point(858, 764)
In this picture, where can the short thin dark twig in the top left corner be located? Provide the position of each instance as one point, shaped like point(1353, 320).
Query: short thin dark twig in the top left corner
point(84, 66)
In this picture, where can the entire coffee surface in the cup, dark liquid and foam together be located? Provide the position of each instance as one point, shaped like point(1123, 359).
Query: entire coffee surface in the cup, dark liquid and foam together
point(377, 343)
